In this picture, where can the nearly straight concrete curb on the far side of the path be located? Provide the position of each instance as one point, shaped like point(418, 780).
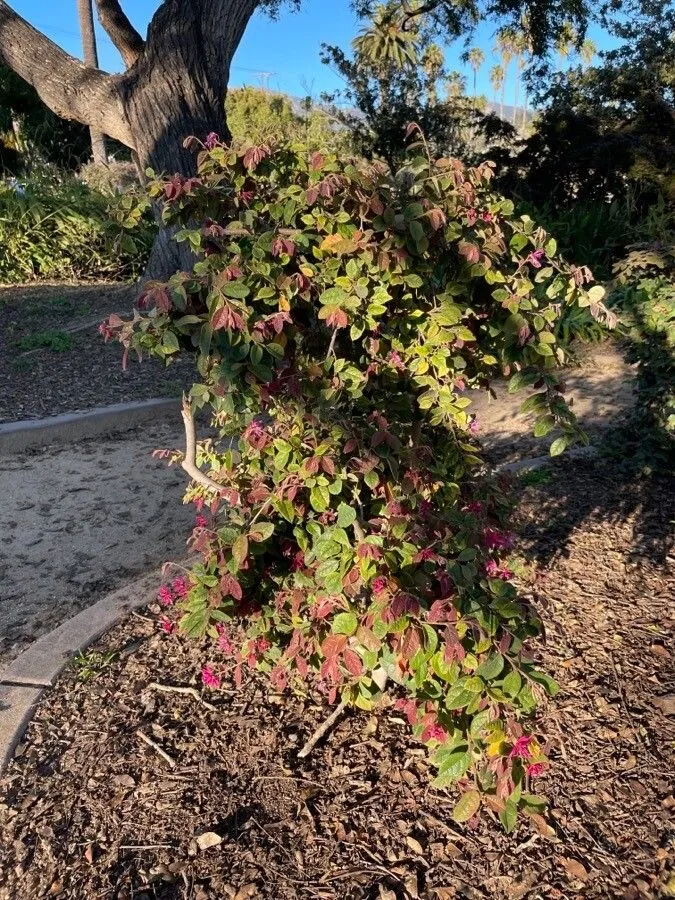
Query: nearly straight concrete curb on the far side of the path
point(16, 437)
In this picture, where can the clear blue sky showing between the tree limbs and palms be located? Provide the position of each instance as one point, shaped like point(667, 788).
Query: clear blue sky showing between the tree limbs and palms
point(282, 54)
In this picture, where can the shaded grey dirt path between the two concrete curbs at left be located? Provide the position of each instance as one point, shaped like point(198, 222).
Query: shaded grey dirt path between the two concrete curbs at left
point(75, 522)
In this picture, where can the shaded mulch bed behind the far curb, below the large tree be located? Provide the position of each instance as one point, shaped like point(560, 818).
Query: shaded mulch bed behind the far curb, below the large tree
point(52, 359)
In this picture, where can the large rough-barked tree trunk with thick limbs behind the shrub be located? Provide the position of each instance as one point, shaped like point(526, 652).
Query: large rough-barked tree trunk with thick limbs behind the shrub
point(174, 87)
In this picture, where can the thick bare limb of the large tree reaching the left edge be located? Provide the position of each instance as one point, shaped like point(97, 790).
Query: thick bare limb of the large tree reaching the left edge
point(70, 89)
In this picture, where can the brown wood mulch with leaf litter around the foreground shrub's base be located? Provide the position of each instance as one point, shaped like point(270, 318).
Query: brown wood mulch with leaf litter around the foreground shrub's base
point(213, 802)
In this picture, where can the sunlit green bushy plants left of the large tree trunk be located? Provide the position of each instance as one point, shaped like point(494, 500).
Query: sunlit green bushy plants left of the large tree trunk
point(55, 227)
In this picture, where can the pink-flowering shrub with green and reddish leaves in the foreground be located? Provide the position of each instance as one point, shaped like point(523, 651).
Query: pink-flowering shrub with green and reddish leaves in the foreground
point(338, 315)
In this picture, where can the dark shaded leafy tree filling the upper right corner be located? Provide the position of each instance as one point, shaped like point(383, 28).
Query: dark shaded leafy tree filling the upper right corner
point(609, 129)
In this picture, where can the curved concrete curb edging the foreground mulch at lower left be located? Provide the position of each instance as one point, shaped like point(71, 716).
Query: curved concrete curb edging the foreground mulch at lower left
point(34, 671)
